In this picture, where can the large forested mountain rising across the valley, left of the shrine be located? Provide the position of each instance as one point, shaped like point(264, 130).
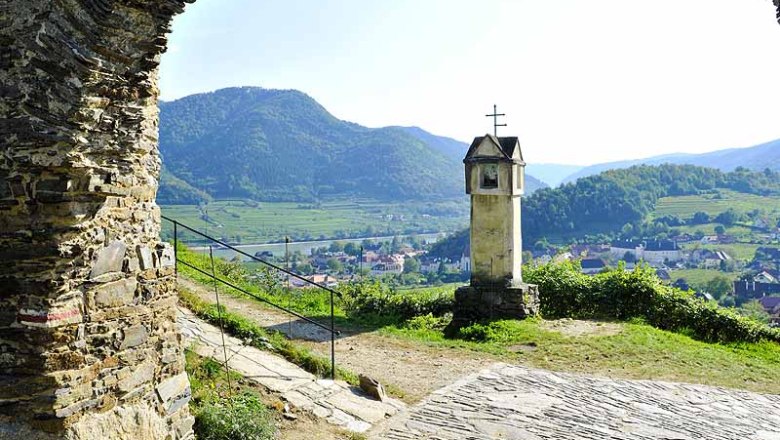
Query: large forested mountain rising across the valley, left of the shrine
point(282, 145)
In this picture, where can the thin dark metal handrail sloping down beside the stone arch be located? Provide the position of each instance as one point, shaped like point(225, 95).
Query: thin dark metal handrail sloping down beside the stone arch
point(332, 292)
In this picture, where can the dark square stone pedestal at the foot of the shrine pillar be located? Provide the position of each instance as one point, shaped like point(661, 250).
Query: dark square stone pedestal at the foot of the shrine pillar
point(478, 303)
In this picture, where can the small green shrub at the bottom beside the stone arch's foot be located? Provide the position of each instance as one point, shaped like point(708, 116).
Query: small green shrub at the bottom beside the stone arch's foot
point(240, 417)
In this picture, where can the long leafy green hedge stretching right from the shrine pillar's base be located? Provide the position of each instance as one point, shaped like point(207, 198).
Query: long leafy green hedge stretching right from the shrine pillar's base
point(624, 295)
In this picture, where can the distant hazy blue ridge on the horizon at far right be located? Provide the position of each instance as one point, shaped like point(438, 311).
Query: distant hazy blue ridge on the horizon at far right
point(755, 158)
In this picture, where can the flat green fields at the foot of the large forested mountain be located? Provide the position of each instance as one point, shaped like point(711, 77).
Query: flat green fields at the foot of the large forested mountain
point(249, 222)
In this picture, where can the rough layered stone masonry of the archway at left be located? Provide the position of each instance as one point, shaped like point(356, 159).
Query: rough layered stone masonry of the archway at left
point(89, 346)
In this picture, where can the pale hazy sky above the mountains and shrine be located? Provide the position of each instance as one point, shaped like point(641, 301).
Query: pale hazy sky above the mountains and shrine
point(582, 81)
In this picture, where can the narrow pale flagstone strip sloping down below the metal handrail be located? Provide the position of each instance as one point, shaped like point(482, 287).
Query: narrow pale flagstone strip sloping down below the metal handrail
point(334, 401)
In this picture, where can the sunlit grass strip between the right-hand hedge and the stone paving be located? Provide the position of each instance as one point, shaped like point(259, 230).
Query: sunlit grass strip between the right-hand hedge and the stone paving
point(639, 351)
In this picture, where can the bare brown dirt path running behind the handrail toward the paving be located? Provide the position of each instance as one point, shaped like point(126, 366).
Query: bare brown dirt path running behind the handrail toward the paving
point(411, 370)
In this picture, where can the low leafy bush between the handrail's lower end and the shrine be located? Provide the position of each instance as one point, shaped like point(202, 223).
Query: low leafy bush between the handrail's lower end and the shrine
point(372, 298)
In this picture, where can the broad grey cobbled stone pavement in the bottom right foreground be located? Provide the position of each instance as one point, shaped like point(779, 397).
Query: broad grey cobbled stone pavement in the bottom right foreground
point(512, 402)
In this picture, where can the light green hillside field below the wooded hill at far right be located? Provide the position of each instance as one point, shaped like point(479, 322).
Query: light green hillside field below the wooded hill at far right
point(714, 204)
